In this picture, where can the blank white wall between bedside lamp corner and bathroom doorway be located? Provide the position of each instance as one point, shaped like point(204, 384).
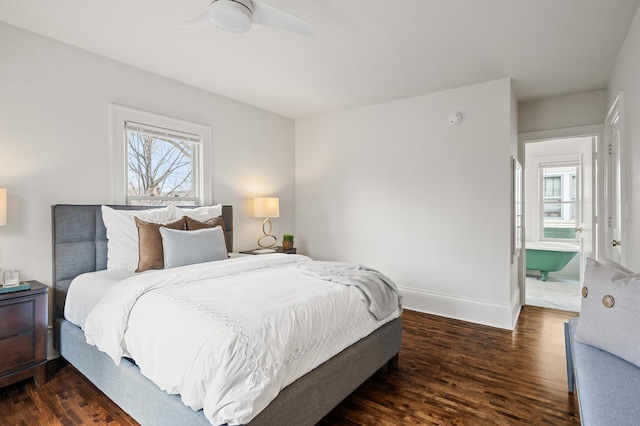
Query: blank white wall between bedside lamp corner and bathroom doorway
point(395, 187)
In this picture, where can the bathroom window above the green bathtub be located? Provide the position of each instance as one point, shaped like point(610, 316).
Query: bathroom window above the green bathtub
point(558, 202)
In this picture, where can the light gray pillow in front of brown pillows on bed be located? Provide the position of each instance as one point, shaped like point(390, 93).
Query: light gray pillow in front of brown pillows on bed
point(189, 247)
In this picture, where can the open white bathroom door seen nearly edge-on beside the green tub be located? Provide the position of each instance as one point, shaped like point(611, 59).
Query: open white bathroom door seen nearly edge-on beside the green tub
point(587, 202)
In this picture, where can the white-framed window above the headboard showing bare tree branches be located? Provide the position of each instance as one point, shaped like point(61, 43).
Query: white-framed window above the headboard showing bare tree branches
point(159, 160)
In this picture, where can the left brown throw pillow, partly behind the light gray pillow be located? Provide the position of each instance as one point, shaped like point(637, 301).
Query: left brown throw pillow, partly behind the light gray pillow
point(150, 252)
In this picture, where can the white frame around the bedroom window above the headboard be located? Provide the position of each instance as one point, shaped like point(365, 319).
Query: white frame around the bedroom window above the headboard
point(120, 115)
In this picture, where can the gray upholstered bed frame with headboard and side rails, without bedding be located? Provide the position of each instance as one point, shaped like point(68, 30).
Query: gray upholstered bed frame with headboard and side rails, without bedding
point(80, 246)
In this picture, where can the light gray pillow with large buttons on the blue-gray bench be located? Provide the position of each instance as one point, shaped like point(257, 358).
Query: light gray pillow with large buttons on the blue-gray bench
point(610, 314)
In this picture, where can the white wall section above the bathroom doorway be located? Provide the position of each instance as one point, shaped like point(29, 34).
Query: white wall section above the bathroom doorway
point(562, 112)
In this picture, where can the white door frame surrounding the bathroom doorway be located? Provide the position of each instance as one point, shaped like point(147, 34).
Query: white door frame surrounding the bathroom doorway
point(597, 131)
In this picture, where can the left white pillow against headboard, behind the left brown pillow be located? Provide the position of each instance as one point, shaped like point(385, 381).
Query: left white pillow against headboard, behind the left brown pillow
point(122, 234)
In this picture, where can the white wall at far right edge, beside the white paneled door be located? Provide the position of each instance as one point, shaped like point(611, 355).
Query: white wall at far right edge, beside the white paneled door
point(626, 78)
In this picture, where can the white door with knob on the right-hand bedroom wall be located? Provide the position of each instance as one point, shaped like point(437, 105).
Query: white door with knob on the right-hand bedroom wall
point(613, 245)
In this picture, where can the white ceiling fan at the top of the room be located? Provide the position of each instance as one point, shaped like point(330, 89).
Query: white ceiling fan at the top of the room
point(238, 15)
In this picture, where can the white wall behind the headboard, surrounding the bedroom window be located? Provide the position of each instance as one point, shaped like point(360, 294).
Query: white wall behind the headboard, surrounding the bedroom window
point(54, 142)
